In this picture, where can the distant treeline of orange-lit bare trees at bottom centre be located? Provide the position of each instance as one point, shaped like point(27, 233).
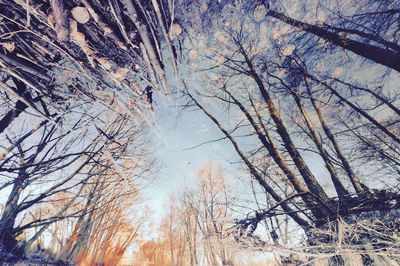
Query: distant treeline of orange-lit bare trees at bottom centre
point(198, 227)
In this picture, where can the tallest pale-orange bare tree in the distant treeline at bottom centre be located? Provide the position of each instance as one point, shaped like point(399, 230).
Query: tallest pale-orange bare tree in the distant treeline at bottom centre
point(210, 200)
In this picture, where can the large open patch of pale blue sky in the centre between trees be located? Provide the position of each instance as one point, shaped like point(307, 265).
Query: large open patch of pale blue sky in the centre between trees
point(177, 136)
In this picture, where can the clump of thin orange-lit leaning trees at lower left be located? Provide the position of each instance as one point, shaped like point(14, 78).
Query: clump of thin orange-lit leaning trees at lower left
point(104, 231)
